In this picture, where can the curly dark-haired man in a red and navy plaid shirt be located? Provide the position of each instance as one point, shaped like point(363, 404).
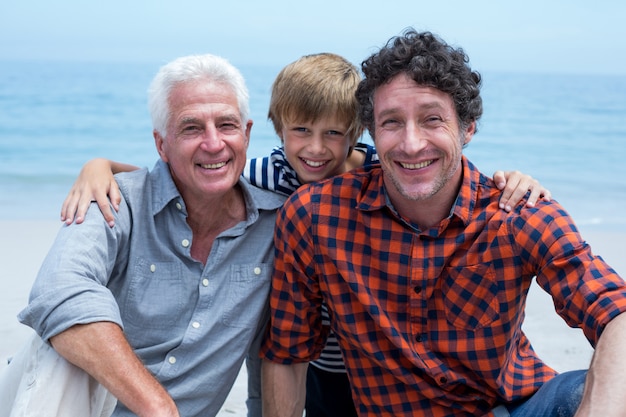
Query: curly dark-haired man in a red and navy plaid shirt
point(424, 278)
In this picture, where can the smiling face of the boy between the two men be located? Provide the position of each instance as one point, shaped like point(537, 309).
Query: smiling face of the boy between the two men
point(316, 150)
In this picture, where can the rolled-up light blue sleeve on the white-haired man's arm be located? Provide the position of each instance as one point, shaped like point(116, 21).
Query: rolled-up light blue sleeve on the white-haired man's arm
point(70, 287)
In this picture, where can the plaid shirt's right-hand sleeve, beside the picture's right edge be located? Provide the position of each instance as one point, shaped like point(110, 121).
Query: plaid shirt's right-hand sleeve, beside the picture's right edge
point(587, 292)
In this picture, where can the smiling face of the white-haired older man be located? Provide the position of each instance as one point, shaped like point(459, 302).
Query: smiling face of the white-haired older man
point(206, 140)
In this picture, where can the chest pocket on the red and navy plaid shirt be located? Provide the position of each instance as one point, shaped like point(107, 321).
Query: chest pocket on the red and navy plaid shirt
point(470, 296)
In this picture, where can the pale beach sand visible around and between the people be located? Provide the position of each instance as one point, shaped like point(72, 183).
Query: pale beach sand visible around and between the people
point(23, 245)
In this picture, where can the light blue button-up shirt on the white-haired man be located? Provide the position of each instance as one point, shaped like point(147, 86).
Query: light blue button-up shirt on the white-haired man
point(191, 325)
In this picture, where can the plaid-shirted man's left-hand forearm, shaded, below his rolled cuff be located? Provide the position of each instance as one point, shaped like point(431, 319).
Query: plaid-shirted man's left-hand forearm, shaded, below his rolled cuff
point(284, 389)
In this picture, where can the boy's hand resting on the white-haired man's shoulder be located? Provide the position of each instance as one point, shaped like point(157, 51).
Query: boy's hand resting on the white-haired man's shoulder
point(94, 183)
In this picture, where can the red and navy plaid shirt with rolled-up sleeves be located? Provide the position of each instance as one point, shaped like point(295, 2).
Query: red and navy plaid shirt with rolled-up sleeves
point(429, 322)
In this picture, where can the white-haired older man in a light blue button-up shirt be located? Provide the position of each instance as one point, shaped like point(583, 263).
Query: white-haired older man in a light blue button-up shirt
point(163, 308)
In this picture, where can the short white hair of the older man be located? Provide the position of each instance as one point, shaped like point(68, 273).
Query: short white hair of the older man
point(188, 69)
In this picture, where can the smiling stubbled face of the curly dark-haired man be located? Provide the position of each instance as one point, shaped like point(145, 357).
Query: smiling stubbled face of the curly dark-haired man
point(419, 141)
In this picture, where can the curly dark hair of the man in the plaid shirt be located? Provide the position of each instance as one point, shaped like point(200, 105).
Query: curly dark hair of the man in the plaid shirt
point(429, 61)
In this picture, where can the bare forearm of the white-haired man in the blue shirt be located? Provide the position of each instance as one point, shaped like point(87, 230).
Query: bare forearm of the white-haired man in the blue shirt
point(101, 350)
